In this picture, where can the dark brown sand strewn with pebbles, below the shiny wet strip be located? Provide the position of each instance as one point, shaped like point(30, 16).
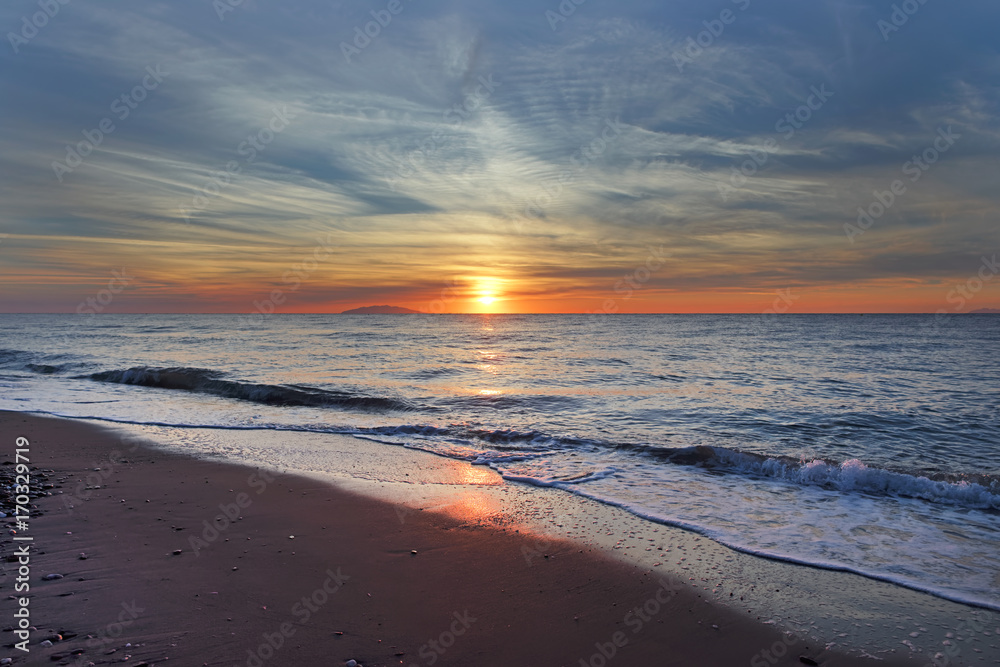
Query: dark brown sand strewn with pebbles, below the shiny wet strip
point(301, 560)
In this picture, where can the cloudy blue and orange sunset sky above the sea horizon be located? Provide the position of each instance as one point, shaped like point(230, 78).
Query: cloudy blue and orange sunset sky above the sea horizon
point(486, 156)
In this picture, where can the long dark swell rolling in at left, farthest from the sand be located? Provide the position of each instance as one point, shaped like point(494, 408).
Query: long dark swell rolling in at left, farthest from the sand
point(205, 381)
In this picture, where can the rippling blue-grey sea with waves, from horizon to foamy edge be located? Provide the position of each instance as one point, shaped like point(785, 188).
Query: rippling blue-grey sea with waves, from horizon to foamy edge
point(860, 443)
